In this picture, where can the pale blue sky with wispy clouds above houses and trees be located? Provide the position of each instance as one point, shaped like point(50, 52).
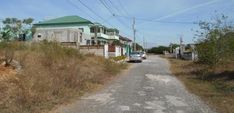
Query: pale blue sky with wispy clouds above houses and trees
point(165, 16)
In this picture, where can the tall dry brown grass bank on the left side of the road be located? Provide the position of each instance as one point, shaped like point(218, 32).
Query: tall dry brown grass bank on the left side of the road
point(50, 75)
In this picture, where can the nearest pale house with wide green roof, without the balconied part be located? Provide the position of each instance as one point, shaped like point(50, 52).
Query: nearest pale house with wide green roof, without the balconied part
point(67, 29)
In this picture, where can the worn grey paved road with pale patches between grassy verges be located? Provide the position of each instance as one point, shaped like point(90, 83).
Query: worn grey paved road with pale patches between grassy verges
point(148, 87)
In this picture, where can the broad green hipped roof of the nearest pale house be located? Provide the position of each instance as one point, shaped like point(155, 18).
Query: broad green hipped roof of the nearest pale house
point(65, 20)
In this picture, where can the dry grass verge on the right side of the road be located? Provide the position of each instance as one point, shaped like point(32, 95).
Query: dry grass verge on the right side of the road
point(215, 87)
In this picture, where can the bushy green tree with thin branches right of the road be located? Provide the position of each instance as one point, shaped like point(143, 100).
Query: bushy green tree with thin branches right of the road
point(213, 46)
